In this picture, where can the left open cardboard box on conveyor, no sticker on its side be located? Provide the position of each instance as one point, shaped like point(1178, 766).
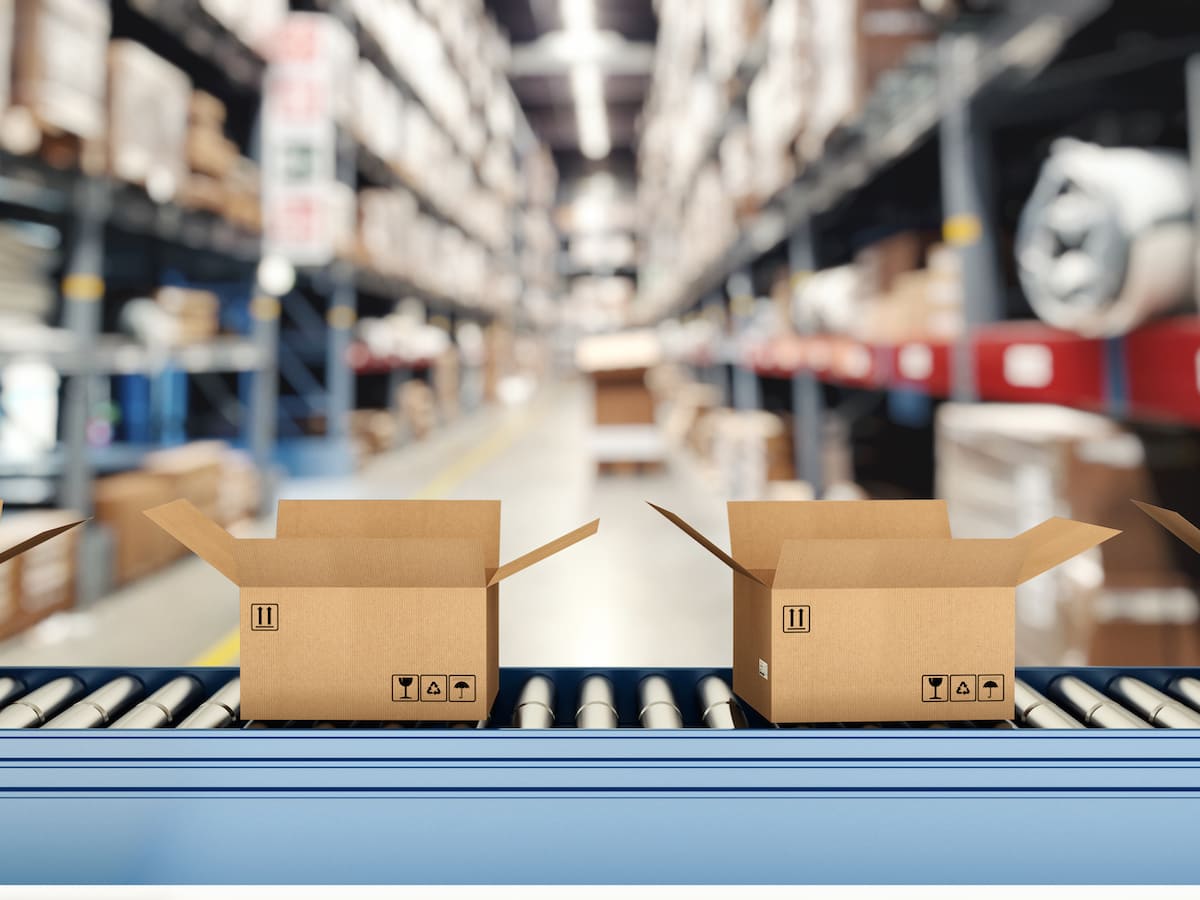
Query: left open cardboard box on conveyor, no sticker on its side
point(374, 610)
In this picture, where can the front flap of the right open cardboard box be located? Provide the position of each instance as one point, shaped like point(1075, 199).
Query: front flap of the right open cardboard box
point(899, 563)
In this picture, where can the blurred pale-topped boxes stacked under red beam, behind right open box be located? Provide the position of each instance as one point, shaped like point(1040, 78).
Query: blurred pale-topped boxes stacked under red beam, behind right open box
point(1003, 467)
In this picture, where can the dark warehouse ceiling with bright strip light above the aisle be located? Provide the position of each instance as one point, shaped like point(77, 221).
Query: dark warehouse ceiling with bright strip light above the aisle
point(554, 45)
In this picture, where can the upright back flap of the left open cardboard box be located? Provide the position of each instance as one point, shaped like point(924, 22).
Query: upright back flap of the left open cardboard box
point(395, 519)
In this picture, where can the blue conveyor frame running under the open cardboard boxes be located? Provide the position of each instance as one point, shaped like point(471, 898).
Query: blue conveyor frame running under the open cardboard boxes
point(626, 805)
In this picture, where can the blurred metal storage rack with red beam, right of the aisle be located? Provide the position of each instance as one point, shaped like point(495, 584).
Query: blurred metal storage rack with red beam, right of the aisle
point(932, 136)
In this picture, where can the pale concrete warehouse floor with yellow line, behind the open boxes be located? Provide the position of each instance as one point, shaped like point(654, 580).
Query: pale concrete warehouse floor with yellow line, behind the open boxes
point(638, 595)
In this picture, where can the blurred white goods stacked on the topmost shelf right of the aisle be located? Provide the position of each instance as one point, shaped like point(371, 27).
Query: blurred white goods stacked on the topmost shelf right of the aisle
point(705, 165)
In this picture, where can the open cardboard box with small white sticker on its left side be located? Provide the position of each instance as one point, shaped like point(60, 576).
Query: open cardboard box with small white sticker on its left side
point(853, 611)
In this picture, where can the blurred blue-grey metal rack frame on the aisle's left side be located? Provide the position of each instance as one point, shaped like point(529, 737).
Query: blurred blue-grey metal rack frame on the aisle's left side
point(292, 361)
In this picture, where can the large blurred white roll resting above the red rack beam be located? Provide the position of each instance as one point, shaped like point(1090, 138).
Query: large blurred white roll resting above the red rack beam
point(1107, 241)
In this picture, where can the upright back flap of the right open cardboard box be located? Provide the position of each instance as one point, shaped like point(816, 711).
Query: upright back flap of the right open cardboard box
point(758, 530)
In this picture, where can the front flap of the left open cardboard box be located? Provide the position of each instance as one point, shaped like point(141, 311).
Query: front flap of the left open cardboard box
point(361, 562)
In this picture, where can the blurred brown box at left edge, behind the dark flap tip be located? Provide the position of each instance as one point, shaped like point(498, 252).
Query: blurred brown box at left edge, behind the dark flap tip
point(37, 578)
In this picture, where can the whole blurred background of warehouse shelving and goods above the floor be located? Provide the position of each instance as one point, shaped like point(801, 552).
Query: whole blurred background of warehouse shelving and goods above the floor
point(832, 249)
